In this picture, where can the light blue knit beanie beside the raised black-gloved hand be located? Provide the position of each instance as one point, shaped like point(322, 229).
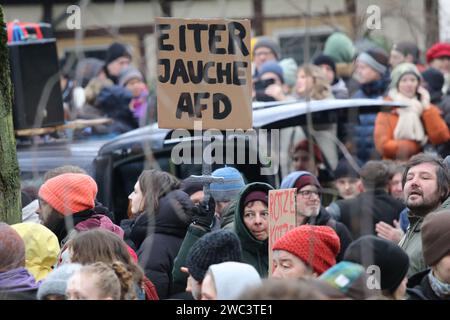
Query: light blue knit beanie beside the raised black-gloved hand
point(230, 188)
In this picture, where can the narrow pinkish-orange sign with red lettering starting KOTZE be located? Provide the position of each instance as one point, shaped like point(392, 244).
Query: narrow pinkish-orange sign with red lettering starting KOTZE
point(282, 216)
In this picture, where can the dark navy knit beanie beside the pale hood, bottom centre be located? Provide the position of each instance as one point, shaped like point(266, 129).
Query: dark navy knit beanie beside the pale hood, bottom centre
point(213, 248)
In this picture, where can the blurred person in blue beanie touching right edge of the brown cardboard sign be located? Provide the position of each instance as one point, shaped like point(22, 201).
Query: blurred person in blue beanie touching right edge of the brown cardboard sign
point(270, 86)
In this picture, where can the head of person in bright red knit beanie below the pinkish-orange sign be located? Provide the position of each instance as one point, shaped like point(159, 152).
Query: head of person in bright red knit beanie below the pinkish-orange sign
point(306, 251)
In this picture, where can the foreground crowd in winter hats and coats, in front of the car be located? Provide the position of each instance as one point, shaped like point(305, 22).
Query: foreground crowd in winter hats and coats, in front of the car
point(371, 242)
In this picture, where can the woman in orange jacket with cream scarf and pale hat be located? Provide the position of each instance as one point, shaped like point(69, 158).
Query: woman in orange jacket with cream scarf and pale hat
point(404, 132)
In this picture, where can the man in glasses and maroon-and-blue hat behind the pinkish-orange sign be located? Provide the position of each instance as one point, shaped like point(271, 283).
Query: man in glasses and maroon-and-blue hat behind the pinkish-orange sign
point(309, 208)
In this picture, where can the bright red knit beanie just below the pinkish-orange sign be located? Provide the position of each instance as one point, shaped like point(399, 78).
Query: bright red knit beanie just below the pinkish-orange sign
point(317, 246)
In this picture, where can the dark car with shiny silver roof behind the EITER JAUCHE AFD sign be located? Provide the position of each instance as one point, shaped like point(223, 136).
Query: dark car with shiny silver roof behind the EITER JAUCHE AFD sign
point(116, 164)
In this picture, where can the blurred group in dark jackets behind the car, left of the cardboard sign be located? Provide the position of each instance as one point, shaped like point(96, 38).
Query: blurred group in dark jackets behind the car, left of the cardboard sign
point(111, 88)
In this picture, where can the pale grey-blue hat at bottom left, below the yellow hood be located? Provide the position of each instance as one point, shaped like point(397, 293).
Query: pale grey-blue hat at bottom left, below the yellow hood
point(56, 281)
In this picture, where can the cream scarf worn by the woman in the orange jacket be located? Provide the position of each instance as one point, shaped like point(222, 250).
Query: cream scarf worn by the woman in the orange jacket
point(409, 125)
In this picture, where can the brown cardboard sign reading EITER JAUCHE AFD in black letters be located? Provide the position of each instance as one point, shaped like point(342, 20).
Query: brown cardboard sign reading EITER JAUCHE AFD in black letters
point(204, 73)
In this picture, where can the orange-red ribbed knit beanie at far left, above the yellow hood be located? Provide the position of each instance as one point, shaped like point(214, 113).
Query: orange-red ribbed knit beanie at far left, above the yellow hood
point(69, 193)
